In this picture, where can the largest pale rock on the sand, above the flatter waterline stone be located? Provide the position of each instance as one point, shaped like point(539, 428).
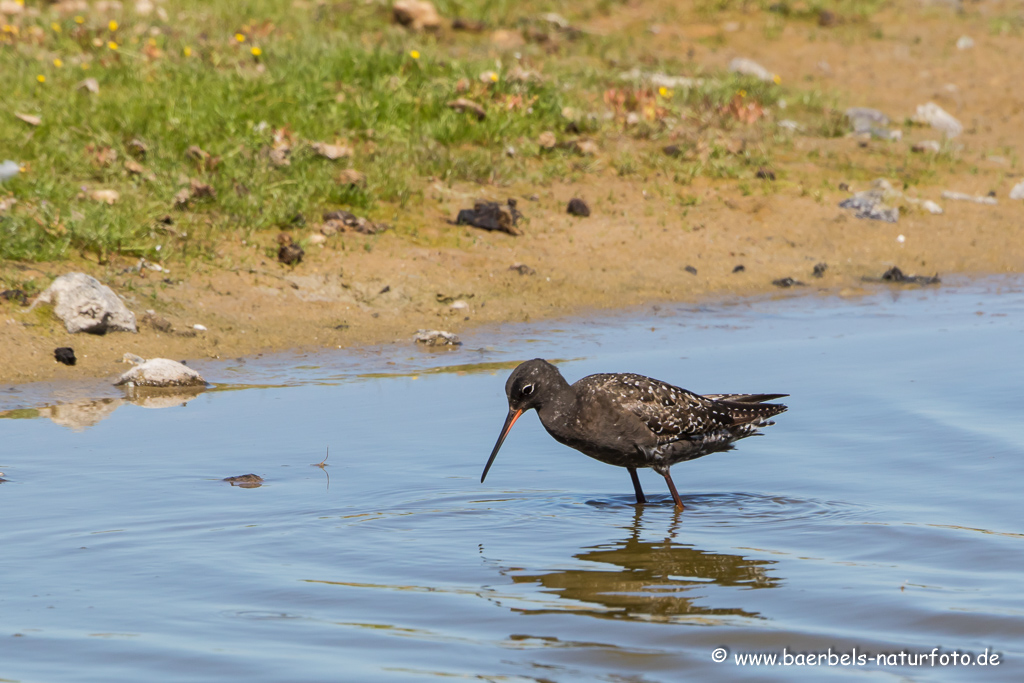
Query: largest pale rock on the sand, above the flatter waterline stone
point(86, 305)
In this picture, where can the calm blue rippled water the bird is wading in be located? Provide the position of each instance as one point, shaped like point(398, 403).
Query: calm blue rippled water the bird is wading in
point(881, 515)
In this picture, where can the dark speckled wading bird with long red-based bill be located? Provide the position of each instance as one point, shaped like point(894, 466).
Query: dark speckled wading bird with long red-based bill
point(633, 421)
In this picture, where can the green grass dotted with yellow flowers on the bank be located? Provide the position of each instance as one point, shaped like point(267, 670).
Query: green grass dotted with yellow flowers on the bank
point(339, 72)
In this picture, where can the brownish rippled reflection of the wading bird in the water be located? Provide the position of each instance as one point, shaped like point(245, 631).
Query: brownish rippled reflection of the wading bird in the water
point(651, 579)
